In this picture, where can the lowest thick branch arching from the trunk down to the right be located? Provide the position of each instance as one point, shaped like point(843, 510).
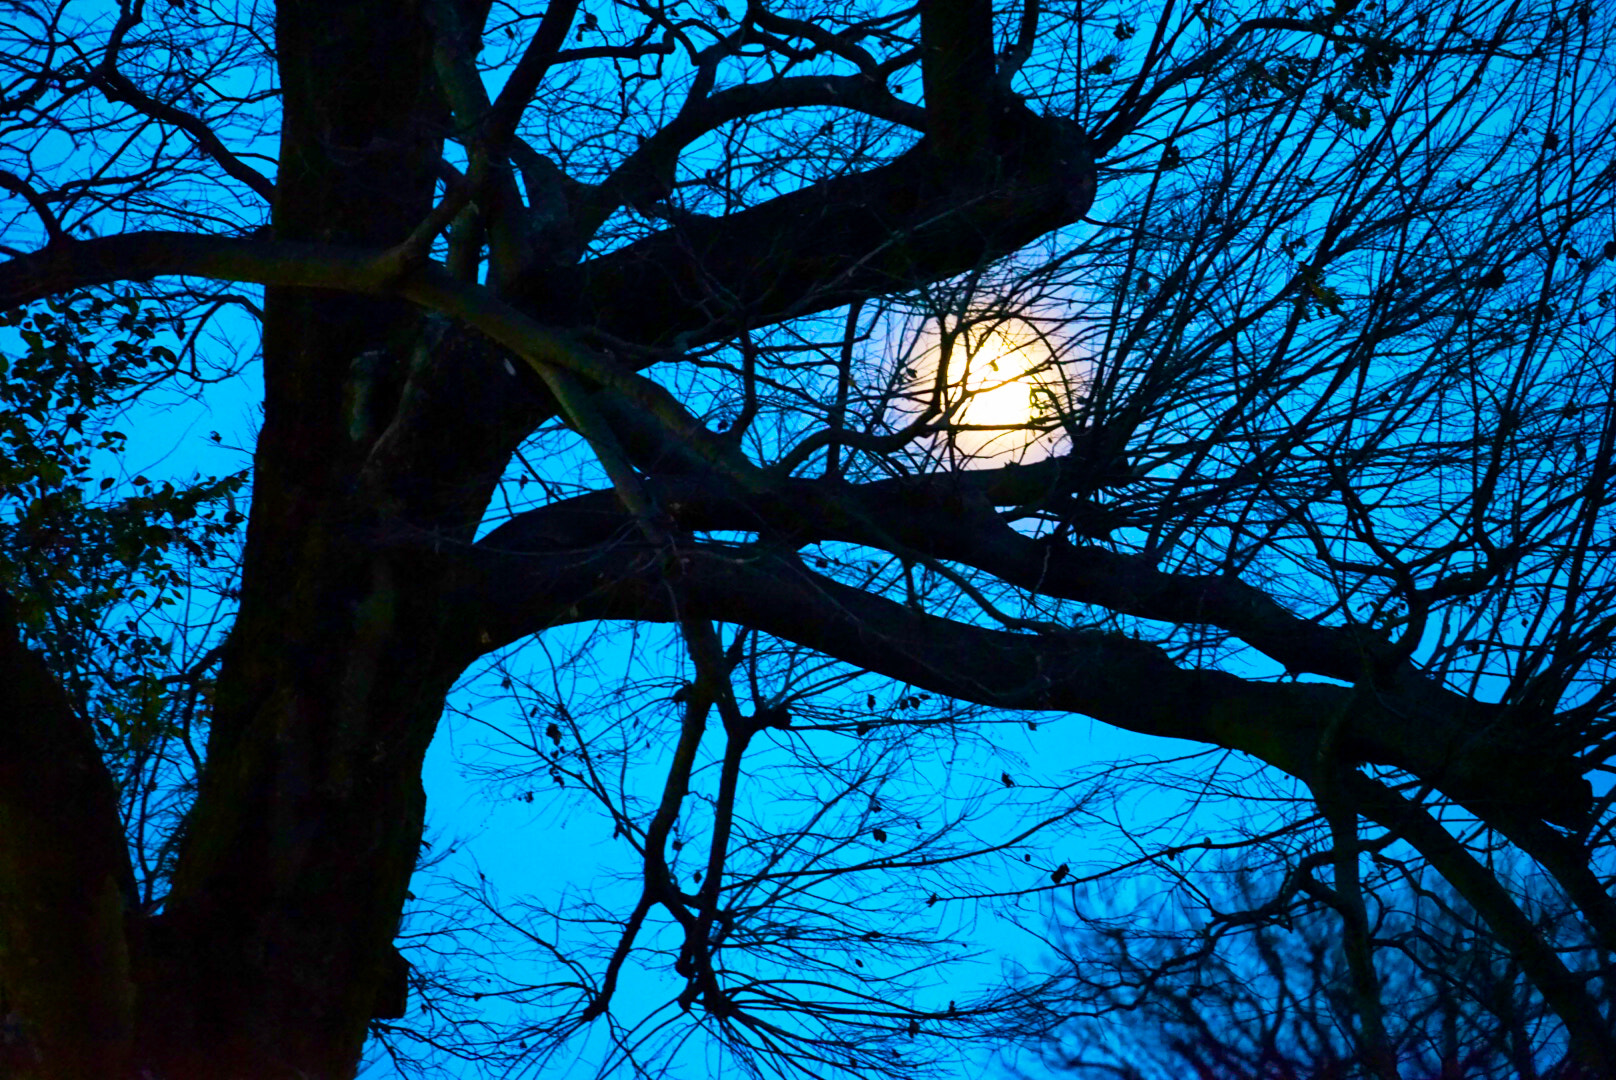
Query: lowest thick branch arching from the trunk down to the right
point(520, 584)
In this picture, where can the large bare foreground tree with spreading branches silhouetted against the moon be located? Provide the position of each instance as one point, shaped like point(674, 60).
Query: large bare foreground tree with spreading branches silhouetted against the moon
point(1313, 318)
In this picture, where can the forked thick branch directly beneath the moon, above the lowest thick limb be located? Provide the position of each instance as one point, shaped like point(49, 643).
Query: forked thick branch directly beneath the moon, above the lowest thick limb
point(953, 518)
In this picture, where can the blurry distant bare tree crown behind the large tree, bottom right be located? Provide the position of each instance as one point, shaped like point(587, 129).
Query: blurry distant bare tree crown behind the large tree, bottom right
point(1263, 989)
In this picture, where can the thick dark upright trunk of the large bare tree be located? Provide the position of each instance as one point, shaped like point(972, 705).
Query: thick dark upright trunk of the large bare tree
point(276, 947)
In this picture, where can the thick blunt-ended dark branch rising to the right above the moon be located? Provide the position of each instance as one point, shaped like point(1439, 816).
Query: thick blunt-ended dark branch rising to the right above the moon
point(877, 232)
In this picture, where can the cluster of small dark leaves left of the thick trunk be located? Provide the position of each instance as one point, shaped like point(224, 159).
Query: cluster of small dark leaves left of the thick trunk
point(90, 557)
